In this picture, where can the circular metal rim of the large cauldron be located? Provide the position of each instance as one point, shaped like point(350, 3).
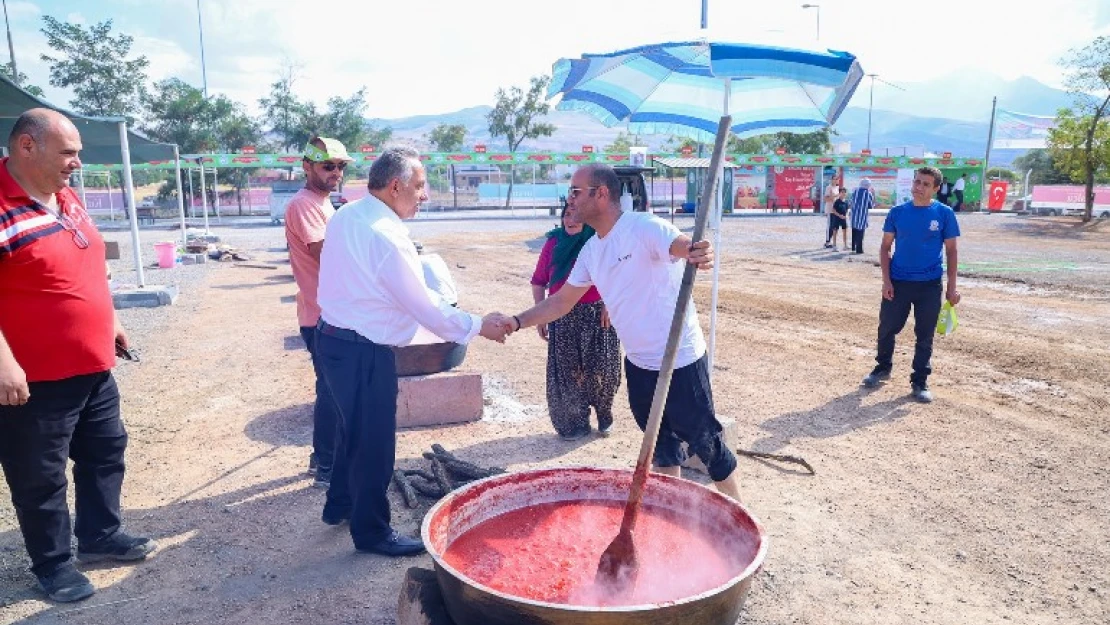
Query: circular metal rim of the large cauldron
point(751, 570)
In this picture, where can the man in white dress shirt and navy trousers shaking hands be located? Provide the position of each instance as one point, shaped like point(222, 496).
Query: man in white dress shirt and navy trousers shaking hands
point(374, 297)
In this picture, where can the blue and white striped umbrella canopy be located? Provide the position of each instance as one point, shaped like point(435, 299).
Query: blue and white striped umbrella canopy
point(681, 88)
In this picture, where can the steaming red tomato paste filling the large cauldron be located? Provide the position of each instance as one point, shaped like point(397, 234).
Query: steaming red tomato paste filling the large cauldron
point(550, 553)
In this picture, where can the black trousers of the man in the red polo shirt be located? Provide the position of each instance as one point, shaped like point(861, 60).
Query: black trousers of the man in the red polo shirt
point(79, 419)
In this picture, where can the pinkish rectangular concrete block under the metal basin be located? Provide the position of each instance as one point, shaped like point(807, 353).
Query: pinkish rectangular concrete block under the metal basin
point(439, 399)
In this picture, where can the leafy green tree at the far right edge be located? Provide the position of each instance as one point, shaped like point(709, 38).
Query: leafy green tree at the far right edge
point(1081, 143)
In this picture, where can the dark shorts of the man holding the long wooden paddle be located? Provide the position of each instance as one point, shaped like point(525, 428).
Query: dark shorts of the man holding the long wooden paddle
point(689, 418)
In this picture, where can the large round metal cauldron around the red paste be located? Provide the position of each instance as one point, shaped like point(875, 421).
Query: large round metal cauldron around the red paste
point(471, 603)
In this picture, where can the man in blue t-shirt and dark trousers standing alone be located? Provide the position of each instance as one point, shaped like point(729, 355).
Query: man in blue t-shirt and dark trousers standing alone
point(923, 233)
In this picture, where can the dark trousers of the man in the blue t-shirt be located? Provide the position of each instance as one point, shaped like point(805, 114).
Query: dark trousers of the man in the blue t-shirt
point(925, 299)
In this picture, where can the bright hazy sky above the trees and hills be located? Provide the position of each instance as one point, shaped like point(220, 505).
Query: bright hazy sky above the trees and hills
point(425, 57)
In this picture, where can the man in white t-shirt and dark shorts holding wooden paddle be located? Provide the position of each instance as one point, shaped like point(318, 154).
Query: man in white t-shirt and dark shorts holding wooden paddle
point(633, 261)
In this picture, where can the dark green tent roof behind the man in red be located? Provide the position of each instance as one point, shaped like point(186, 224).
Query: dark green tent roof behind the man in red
point(99, 136)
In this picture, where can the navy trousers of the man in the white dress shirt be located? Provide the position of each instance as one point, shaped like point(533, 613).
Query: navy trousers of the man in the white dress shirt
point(362, 378)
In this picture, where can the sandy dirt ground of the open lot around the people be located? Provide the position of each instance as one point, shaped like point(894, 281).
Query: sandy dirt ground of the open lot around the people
point(988, 507)
